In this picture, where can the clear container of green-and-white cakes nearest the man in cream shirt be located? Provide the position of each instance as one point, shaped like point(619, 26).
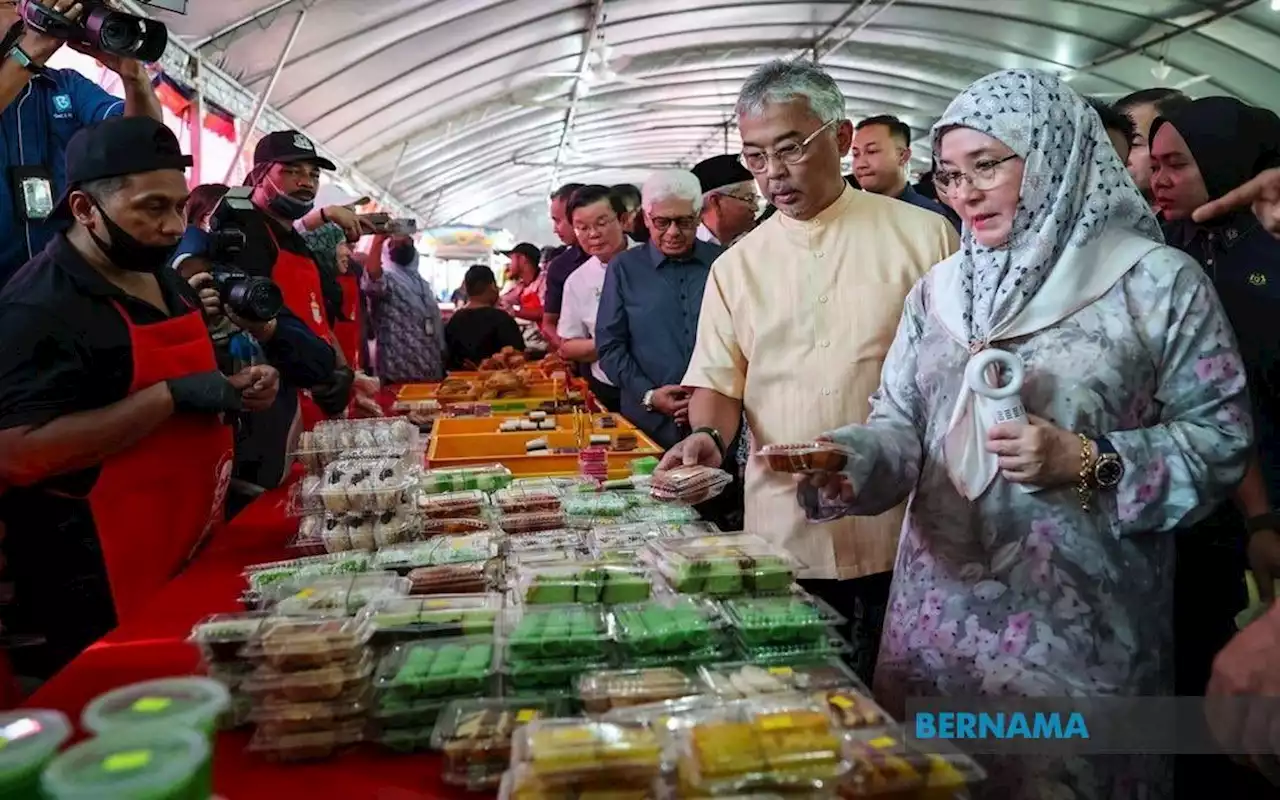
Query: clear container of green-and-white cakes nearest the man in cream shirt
point(725, 566)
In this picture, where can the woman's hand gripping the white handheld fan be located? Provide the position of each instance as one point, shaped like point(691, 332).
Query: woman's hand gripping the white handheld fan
point(1039, 452)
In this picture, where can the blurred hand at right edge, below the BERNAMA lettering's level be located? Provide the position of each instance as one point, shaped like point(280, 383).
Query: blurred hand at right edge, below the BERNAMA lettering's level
point(1247, 670)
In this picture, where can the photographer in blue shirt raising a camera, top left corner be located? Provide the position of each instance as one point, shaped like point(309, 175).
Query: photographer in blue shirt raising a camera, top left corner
point(42, 111)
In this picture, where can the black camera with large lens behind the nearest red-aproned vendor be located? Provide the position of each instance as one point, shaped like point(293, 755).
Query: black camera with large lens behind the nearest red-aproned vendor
point(257, 300)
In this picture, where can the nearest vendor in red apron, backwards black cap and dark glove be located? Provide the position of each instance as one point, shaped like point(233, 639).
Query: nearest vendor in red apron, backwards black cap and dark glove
point(115, 445)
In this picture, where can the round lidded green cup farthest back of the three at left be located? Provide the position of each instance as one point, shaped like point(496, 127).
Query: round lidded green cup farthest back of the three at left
point(167, 703)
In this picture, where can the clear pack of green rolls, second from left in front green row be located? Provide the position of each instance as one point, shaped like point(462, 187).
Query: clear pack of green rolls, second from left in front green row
point(538, 633)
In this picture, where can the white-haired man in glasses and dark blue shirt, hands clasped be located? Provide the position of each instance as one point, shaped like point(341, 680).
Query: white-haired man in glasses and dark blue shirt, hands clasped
point(647, 323)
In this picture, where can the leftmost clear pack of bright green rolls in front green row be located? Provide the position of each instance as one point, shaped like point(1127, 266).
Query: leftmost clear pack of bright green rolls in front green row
point(437, 669)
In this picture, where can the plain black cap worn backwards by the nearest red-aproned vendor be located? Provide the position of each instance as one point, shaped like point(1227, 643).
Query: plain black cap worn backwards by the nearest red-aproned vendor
point(116, 148)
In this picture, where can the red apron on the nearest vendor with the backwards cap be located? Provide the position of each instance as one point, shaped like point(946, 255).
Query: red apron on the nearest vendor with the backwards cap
point(156, 504)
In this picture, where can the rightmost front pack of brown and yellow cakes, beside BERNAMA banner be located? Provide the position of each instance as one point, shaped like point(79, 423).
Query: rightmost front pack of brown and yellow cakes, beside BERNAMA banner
point(886, 766)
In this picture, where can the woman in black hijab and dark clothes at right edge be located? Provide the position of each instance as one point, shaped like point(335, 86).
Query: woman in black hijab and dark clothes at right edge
point(1200, 153)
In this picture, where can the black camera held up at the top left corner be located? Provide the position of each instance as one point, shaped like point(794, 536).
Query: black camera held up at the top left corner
point(103, 28)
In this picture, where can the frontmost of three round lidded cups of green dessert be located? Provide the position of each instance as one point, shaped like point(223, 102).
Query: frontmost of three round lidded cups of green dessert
point(130, 764)
